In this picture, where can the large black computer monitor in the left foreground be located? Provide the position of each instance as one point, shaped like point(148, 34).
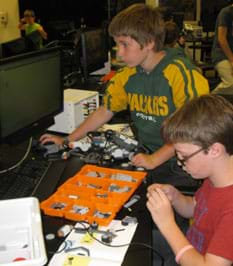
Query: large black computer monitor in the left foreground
point(31, 93)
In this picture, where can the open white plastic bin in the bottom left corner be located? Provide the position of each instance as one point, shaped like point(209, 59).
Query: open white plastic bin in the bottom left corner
point(21, 233)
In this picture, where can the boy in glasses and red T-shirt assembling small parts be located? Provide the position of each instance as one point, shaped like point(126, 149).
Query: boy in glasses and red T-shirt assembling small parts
point(201, 133)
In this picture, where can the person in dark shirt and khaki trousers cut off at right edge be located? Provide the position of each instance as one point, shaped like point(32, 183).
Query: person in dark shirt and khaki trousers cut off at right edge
point(222, 50)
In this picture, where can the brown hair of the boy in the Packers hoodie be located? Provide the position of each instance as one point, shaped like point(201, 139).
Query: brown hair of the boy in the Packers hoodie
point(142, 23)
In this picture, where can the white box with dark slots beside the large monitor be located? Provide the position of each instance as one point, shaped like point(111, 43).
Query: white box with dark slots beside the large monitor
point(78, 104)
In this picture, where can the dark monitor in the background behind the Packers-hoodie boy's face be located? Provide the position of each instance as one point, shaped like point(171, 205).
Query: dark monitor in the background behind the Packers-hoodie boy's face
point(94, 51)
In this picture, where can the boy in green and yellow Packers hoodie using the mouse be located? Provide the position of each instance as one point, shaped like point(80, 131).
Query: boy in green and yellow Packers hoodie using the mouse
point(152, 86)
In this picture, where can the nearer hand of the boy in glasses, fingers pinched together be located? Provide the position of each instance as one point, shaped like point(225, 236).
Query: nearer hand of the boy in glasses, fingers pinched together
point(160, 208)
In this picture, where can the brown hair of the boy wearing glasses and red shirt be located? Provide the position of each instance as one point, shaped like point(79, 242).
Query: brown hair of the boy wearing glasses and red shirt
point(202, 121)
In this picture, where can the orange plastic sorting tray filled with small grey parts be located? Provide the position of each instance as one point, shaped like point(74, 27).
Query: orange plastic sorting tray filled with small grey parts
point(93, 194)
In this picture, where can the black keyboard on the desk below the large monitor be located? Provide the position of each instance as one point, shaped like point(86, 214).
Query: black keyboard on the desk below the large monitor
point(25, 179)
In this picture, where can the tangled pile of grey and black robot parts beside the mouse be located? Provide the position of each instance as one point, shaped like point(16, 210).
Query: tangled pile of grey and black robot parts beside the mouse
point(104, 147)
